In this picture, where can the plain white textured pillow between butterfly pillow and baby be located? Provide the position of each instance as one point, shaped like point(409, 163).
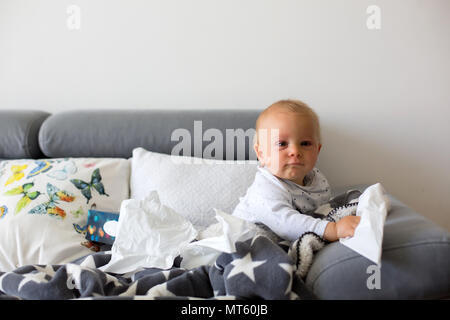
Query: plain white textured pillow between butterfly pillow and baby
point(191, 186)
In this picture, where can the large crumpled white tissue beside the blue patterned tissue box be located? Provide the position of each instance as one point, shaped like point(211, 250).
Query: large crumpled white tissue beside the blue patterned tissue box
point(149, 234)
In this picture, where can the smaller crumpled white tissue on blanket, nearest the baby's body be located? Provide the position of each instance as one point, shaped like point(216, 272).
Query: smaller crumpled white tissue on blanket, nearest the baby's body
point(216, 239)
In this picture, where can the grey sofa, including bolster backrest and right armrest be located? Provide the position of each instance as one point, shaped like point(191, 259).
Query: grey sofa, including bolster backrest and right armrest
point(416, 252)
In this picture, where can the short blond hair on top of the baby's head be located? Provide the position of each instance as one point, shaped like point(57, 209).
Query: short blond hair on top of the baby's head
point(291, 105)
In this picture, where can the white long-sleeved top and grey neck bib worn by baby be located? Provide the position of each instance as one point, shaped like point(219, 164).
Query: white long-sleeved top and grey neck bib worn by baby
point(280, 204)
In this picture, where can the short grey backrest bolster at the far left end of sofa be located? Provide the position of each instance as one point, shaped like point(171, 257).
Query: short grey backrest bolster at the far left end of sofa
point(19, 133)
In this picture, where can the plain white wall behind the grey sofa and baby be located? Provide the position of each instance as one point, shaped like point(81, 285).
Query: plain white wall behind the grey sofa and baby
point(383, 95)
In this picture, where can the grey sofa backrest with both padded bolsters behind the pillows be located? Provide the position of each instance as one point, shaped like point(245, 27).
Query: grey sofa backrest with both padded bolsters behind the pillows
point(115, 133)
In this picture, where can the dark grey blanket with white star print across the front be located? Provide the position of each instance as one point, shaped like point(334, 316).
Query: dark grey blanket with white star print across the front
point(258, 269)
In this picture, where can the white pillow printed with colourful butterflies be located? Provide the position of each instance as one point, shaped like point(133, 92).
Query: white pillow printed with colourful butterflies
point(44, 205)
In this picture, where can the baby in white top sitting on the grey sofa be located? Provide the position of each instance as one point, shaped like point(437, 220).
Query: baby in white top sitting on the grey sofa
point(287, 185)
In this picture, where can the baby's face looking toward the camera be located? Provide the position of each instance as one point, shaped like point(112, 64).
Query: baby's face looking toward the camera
point(288, 145)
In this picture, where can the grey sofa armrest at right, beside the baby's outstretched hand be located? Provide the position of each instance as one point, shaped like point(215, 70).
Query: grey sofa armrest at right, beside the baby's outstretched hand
point(415, 263)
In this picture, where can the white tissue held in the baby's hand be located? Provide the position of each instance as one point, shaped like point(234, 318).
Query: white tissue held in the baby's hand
point(373, 206)
